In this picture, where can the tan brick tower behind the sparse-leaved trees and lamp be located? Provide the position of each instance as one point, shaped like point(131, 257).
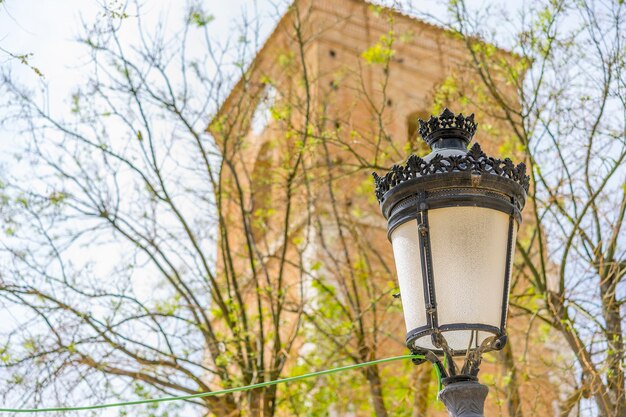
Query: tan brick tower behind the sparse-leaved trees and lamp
point(335, 93)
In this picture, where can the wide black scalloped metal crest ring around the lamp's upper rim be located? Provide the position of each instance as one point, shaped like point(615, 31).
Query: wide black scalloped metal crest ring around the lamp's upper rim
point(475, 162)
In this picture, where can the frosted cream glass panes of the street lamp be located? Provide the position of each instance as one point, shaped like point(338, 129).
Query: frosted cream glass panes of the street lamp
point(468, 247)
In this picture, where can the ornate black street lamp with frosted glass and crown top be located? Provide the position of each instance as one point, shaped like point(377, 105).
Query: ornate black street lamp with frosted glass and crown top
point(452, 221)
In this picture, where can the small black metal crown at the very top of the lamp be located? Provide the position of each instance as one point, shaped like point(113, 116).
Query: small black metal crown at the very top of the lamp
point(447, 125)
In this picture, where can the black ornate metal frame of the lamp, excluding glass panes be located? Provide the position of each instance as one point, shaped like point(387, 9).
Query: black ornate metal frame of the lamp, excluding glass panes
point(452, 176)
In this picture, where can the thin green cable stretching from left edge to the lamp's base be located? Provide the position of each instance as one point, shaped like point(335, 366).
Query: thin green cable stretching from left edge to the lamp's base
point(213, 393)
